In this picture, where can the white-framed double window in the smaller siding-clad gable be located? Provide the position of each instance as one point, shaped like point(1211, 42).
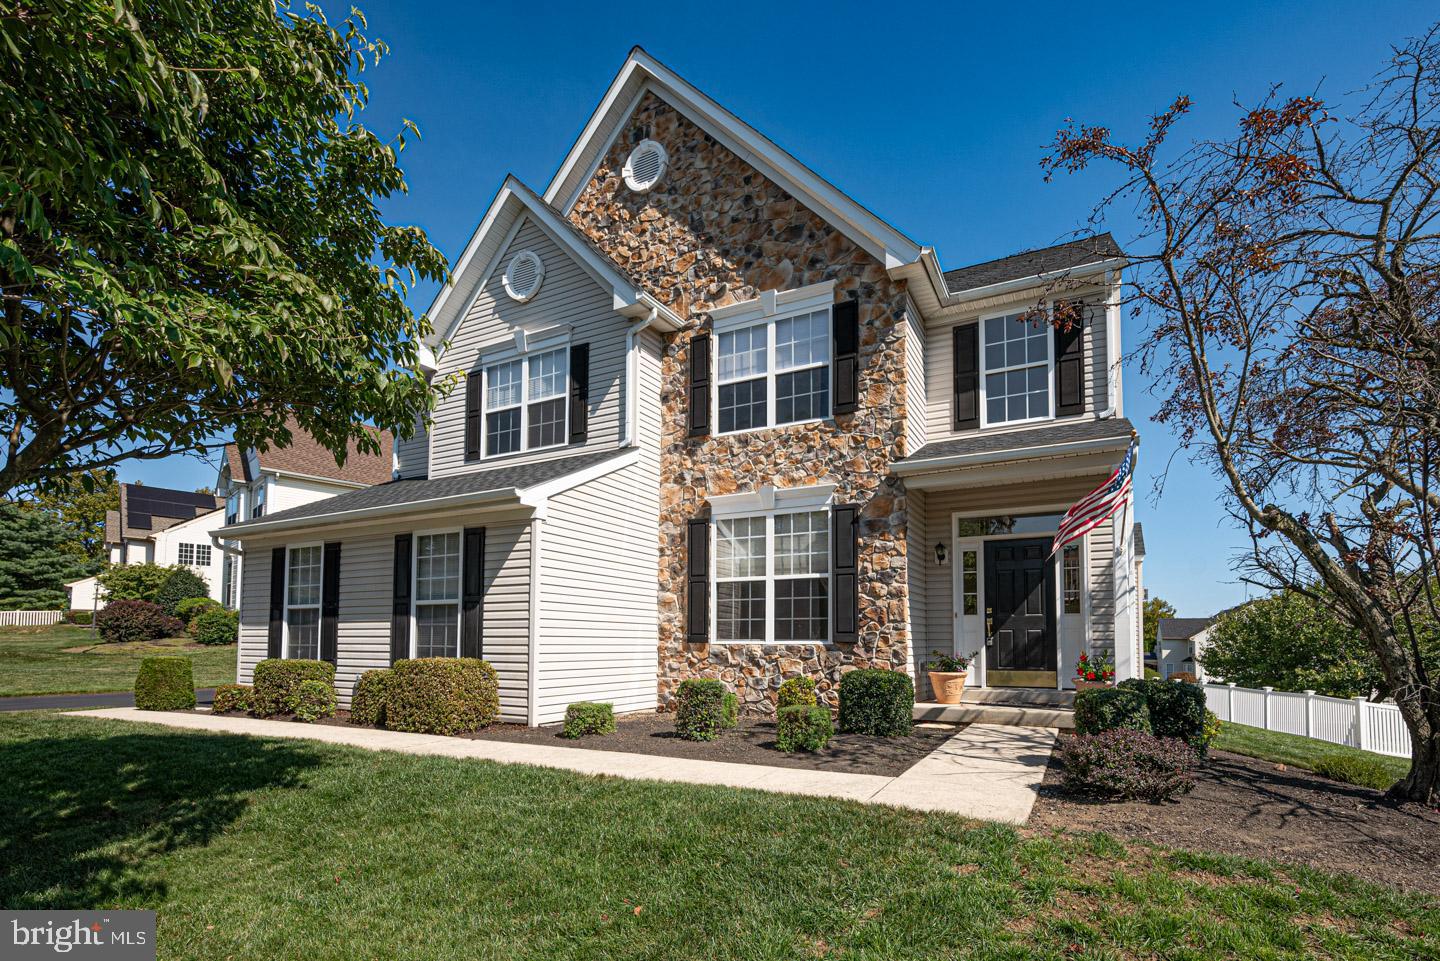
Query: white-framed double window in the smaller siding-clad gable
point(526, 406)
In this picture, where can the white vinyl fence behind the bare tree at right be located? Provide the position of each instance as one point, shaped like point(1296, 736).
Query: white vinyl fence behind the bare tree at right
point(1357, 723)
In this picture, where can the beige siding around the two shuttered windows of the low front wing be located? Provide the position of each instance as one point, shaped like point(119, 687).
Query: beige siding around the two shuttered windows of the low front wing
point(366, 581)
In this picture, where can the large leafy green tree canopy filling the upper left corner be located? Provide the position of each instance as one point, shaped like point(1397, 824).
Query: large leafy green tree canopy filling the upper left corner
point(191, 243)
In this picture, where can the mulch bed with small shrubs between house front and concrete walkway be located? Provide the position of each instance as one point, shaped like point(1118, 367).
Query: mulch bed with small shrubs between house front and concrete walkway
point(752, 743)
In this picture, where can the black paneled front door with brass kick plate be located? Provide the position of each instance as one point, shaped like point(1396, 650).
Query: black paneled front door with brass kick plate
point(1020, 586)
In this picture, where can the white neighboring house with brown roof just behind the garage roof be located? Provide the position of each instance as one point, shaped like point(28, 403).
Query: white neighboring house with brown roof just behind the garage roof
point(254, 483)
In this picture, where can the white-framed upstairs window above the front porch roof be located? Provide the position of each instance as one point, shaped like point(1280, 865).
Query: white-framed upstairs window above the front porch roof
point(1016, 370)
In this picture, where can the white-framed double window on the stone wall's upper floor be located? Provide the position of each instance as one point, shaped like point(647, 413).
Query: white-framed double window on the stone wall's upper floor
point(774, 372)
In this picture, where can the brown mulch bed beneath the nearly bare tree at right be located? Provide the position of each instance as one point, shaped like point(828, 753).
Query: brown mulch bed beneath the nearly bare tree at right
point(1259, 809)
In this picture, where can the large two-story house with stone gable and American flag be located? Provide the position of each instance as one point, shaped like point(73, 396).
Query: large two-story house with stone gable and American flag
point(714, 419)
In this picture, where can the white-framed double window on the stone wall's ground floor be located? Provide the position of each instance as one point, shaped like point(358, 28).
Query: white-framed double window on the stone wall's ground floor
point(773, 577)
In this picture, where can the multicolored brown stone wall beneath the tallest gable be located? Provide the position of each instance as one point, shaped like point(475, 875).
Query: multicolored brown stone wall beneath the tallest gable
point(714, 233)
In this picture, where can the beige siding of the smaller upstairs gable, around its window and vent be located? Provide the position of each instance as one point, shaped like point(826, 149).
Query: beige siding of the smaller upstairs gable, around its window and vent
point(570, 296)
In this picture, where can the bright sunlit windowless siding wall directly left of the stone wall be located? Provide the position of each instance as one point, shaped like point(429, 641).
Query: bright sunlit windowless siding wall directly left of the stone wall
point(598, 636)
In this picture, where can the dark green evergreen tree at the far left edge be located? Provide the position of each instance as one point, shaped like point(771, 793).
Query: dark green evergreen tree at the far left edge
point(35, 564)
